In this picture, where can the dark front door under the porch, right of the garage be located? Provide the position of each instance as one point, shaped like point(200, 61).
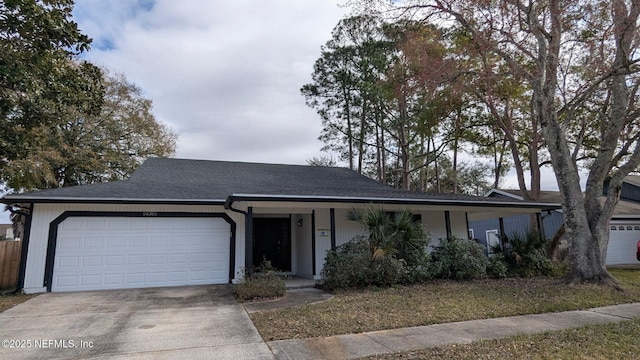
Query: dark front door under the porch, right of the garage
point(272, 241)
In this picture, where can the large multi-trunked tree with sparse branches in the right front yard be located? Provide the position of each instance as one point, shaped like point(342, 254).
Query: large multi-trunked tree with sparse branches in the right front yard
point(580, 61)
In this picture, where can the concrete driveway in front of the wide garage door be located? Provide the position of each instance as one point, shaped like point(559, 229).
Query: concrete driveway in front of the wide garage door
point(195, 322)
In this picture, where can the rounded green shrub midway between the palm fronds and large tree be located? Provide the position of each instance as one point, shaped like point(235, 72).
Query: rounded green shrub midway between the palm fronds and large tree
point(459, 259)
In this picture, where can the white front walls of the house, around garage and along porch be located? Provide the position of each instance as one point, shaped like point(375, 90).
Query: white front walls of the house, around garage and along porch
point(433, 220)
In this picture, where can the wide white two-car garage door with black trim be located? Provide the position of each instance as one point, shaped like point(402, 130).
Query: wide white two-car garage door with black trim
point(94, 253)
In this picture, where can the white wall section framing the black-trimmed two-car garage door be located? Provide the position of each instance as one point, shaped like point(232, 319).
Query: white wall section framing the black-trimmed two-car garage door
point(44, 214)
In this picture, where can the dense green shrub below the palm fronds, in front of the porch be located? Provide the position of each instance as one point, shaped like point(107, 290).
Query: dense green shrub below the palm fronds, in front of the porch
point(352, 265)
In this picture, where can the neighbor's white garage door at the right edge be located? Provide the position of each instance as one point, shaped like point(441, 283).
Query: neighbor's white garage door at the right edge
point(623, 241)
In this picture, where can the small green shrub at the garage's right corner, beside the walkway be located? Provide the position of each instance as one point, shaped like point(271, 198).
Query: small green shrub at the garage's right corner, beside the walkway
point(262, 282)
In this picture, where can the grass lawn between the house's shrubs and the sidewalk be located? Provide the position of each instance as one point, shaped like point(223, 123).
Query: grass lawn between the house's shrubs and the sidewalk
point(439, 302)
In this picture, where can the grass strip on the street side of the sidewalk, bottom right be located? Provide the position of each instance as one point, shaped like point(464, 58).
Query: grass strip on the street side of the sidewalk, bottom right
point(610, 341)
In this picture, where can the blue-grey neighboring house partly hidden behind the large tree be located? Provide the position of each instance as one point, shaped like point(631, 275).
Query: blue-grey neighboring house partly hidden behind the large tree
point(624, 227)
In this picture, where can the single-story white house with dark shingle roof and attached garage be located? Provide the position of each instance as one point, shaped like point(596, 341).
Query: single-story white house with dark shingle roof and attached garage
point(185, 222)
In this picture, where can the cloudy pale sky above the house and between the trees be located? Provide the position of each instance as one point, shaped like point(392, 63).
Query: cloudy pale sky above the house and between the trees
point(224, 75)
